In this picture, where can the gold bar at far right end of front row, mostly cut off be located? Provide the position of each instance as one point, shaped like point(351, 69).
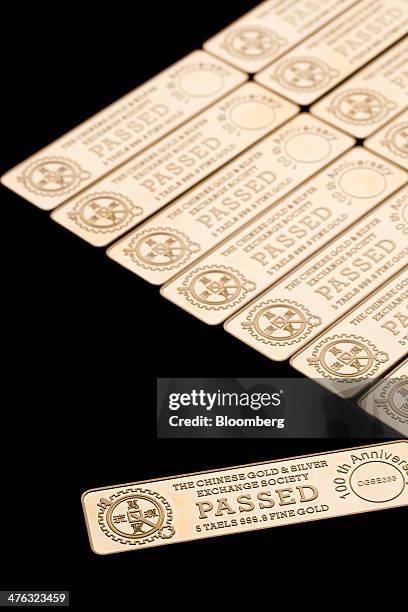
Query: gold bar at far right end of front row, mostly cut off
point(388, 400)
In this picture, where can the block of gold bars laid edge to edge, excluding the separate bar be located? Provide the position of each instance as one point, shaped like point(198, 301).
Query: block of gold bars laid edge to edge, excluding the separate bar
point(262, 182)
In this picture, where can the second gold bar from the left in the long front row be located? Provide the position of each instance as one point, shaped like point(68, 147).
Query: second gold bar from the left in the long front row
point(167, 169)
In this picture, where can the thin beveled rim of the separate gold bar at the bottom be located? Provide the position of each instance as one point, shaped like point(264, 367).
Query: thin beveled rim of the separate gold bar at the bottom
point(222, 469)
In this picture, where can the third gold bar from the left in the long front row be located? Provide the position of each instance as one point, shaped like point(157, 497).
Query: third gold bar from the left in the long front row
point(183, 231)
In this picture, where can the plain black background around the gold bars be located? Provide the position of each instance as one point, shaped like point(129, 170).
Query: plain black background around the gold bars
point(85, 340)
